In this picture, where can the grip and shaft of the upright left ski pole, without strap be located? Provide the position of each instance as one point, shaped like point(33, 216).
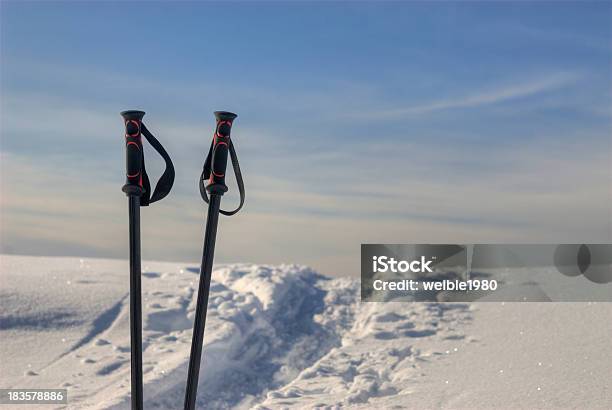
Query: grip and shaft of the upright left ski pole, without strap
point(133, 189)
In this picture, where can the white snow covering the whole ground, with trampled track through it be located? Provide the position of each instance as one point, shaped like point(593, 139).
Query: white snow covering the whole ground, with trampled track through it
point(288, 337)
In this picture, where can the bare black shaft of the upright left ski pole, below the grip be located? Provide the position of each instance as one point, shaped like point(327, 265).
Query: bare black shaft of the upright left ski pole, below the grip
point(135, 303)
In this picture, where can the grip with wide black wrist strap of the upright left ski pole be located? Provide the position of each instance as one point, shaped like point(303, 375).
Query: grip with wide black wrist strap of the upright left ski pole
point(137, 179)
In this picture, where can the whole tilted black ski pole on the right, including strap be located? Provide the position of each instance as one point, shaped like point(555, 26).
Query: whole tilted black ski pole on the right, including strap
point(212, 182)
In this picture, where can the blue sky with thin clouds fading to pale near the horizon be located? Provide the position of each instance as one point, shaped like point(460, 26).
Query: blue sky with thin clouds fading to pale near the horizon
point(399, 122)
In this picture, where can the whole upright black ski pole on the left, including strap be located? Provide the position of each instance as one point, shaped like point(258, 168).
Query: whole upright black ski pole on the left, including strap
point(137, 188)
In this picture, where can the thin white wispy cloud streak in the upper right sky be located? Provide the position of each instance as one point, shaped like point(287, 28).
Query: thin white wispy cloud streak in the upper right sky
point(482, 98)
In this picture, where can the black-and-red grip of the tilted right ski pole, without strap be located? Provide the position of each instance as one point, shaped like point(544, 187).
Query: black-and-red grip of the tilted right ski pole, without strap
point(220, 151)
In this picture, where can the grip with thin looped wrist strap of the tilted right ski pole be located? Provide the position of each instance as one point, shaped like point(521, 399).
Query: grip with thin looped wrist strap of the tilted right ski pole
point(213, 174)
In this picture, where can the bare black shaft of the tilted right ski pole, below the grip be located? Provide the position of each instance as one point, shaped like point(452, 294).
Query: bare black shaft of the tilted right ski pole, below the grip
point(202, 303)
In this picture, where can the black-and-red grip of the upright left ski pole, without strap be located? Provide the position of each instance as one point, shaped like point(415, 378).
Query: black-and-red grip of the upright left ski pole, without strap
point(133, 152)
